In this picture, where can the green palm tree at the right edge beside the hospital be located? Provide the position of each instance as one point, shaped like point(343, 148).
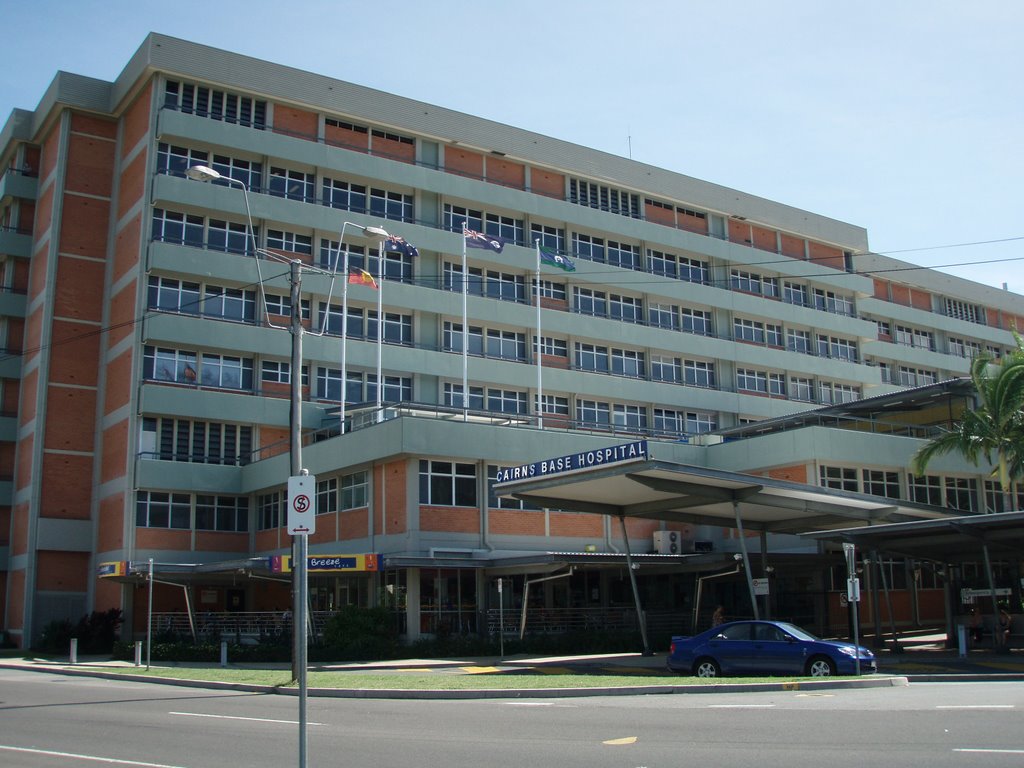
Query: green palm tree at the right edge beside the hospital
point(995, 428)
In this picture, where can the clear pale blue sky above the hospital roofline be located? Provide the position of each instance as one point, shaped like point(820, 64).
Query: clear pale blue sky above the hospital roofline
point(906, 118)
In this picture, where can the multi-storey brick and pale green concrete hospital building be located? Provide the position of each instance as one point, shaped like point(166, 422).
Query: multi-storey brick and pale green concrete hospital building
point(147, 377)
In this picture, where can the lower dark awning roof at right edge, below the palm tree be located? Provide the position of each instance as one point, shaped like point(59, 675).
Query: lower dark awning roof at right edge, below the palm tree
point(952, 540)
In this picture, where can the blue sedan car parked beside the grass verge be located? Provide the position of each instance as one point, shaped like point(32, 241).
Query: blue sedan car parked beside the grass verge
point(765, 649)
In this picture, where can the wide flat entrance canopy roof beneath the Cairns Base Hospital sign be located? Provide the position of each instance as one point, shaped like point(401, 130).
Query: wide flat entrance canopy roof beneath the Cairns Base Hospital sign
point(688, 494)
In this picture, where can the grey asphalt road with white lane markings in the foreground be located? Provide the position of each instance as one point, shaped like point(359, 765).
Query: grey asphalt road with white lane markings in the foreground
point(52, 720)
